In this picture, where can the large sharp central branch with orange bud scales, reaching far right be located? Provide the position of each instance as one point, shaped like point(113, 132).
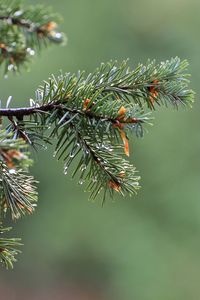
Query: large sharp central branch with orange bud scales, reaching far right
point(87, 113)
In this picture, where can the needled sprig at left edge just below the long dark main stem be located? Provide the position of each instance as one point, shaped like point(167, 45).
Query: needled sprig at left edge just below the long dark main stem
point(17, 192)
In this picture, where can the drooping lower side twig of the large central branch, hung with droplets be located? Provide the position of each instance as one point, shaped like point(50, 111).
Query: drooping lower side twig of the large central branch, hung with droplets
point(100, 166)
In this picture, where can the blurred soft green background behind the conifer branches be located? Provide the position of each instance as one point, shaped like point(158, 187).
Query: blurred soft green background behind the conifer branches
point(146, 247)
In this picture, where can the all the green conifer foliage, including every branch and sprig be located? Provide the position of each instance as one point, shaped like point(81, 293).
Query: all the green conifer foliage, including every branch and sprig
point(89, 116)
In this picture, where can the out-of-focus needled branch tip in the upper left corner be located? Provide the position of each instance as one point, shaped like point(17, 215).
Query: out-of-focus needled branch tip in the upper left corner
point(25, 30)
